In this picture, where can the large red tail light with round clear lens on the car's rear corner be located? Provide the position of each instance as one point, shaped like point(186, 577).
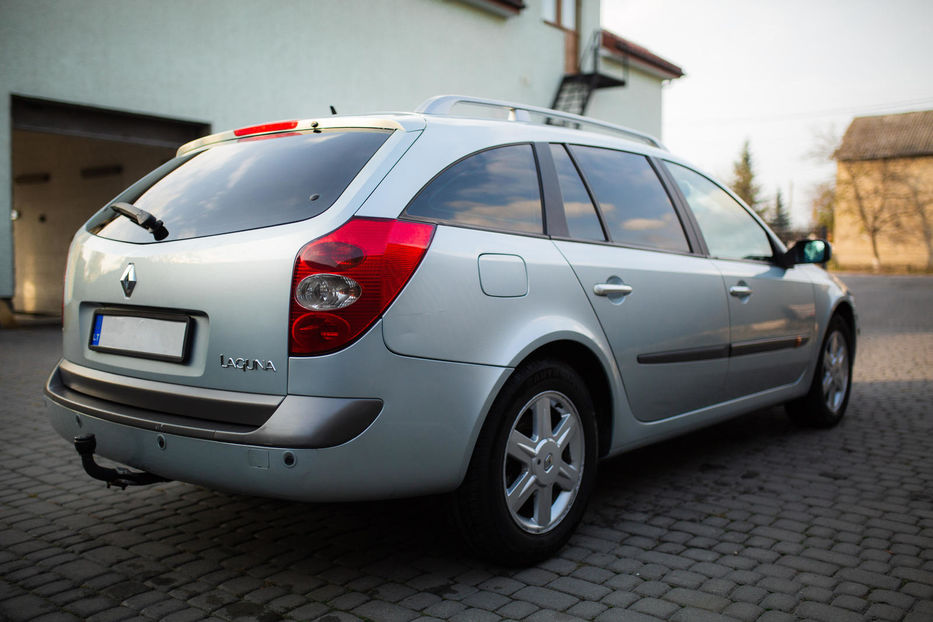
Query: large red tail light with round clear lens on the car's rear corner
point(344, 281)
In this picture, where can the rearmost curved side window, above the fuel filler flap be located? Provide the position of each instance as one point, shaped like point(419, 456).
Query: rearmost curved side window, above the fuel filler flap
point(493, 189)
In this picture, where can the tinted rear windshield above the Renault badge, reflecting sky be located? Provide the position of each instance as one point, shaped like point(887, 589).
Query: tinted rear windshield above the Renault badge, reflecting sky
point(247, 184)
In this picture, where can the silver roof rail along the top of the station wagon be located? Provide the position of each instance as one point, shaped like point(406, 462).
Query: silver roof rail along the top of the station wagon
point(443, 104)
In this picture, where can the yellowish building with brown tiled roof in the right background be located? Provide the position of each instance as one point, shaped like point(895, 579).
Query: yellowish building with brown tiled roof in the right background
point(884, 193)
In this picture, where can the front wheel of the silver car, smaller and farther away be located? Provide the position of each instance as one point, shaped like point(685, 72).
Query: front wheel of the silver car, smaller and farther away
point(825, 404)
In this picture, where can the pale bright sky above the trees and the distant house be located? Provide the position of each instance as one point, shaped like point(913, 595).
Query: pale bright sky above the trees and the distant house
point(783, 74)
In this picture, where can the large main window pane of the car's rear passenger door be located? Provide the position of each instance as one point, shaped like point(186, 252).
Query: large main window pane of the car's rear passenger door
point(634, 204)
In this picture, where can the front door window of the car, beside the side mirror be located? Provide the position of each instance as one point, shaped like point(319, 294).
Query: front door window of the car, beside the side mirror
point(729, 230)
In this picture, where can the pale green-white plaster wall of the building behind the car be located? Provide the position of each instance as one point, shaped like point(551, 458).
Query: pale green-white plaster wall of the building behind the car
point(236, 63)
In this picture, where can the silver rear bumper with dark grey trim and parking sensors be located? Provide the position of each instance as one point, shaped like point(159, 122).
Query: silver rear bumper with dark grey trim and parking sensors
point(402, 439)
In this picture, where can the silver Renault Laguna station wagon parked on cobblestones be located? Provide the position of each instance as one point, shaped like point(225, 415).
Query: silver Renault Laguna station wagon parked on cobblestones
point(479, 298)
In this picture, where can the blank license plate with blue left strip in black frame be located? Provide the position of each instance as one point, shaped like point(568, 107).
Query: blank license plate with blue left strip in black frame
point(151, 336)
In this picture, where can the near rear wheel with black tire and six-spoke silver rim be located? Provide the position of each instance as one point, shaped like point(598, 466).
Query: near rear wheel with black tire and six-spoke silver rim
point(532, 469)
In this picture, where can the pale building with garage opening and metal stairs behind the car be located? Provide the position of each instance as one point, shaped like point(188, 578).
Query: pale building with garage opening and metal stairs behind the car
point(95, 93)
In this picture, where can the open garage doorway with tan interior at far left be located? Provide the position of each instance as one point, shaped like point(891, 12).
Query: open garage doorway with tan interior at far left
point(68, 161)
